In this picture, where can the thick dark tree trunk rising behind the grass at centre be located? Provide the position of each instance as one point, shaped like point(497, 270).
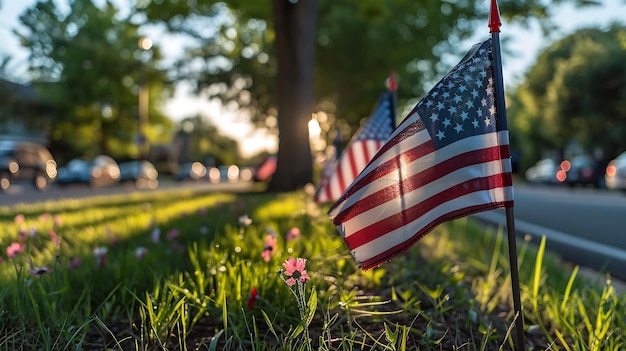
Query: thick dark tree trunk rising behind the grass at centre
point(295, 27)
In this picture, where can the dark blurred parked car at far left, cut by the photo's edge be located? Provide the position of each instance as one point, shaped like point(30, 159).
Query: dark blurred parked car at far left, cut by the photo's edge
point(26, 162)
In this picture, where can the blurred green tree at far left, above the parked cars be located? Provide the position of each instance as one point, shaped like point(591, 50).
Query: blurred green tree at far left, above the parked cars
point(86, 63)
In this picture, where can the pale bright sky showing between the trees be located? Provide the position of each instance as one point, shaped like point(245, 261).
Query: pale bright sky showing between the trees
point(527, 43)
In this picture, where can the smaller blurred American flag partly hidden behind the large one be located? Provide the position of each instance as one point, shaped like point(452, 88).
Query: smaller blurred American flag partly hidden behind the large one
point(360, 150)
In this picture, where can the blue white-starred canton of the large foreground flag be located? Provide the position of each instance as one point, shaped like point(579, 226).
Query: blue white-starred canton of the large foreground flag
point(462, 103)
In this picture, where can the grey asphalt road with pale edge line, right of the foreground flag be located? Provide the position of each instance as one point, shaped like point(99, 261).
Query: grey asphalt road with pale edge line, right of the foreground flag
point(583, 225)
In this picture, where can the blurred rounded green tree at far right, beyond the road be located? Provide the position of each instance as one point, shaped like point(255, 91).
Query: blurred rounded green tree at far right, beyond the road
point(575, 91)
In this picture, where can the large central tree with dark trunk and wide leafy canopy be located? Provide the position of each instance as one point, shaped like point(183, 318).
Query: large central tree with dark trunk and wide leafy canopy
point(357, 43)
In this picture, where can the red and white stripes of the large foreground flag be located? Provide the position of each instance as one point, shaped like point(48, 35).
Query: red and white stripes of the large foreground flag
point(410, 187)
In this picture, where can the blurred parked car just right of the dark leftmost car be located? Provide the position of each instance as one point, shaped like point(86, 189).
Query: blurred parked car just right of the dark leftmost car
point(99, 171)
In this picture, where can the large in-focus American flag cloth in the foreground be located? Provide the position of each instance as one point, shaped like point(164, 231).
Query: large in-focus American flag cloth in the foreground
point(448, 158)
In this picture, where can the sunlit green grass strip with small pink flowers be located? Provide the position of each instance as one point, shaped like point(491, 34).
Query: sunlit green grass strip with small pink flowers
point(180, 268)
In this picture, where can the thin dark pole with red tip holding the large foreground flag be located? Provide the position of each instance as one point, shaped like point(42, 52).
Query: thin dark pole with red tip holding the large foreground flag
point(494, 29)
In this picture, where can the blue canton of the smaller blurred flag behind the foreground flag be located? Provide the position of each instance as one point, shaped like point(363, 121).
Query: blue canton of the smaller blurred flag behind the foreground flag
point(381, 122)
